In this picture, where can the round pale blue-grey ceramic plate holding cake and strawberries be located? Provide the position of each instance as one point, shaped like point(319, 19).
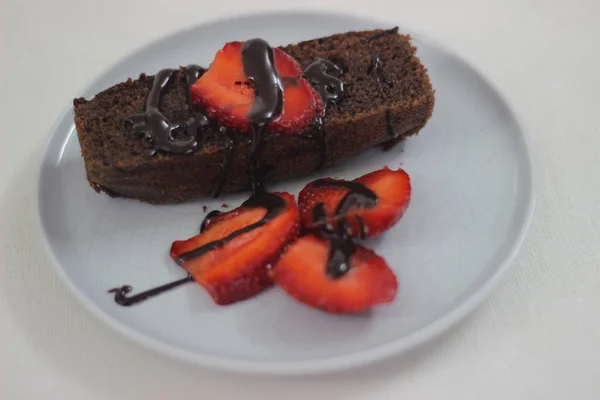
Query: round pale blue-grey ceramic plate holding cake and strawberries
point(472, 200)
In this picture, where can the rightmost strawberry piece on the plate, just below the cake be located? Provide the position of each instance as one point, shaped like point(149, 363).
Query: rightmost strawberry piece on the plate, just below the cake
point(367, 206)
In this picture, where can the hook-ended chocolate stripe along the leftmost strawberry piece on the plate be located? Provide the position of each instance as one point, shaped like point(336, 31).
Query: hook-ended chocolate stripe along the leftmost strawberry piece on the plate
point(272, 203)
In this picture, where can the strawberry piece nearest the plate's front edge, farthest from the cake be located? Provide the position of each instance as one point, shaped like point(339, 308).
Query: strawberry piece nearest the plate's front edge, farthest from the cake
point(303, 273)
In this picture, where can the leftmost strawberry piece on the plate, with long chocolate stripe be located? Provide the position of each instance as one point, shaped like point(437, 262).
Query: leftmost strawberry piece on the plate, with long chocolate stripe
point(231, 257)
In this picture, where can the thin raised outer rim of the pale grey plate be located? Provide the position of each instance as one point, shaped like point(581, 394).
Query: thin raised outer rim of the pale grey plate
point(393, 348)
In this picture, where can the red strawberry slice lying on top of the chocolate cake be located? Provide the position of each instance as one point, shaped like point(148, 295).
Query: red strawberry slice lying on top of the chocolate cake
point(227, 94)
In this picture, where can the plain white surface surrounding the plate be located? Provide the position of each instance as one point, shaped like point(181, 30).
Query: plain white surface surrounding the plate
point(538, 336)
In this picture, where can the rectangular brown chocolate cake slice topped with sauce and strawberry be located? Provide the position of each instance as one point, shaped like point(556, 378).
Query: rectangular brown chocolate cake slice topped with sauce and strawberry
point(145, 139)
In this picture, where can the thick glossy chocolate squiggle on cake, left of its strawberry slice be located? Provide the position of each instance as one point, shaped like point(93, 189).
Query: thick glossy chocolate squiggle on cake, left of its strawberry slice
point(157, 128)
